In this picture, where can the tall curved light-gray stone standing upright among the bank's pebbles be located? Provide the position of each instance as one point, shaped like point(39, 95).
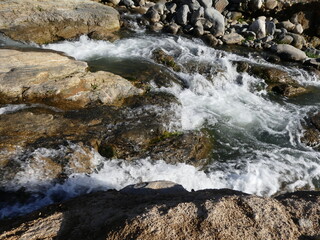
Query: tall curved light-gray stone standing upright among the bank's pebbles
point(217, 20)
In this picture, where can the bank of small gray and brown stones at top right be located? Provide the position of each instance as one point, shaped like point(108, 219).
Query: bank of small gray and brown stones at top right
point(220, 22)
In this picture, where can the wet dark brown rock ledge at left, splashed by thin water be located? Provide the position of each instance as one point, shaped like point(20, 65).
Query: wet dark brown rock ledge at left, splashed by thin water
point(54, 143)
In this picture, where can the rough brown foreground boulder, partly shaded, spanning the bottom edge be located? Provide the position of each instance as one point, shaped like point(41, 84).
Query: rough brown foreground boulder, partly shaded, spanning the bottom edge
point(208, 214)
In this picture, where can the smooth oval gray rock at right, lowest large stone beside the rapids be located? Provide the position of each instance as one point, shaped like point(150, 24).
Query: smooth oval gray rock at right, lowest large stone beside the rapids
point(289, 52)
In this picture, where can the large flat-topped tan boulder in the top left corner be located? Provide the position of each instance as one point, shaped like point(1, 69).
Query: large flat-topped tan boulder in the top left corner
point(47, 21)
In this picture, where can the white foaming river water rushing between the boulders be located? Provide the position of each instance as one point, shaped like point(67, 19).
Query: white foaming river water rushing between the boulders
point(257, 146)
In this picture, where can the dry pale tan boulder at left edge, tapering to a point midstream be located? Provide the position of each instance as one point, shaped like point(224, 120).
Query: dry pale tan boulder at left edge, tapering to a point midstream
point(51, 78)
